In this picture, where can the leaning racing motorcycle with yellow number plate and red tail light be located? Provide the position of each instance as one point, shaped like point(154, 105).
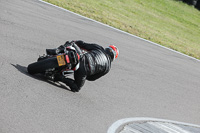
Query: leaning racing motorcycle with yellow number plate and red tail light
point(65, 62)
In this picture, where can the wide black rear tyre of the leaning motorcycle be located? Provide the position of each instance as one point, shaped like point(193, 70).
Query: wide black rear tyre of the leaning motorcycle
point(42, 66)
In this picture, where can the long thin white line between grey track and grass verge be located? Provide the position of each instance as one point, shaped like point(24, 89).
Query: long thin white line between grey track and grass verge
point(119, 30)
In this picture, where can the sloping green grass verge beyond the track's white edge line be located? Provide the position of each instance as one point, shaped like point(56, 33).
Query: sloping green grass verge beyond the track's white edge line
point(168, 22)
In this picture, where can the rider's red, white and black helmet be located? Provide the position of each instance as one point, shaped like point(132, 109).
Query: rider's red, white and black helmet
point(112, 51)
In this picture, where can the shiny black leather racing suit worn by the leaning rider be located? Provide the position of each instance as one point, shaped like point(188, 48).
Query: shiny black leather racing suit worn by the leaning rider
point(93, 64)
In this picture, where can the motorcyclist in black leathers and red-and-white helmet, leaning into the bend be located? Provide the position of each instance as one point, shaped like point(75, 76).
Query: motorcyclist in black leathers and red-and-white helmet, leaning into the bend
point(91, 65)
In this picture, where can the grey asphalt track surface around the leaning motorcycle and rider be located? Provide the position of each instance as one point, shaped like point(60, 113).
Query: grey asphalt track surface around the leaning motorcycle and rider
point(145, 81)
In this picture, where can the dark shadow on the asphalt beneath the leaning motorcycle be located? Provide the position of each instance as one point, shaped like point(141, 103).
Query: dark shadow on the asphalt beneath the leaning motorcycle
point(40, 77)
